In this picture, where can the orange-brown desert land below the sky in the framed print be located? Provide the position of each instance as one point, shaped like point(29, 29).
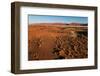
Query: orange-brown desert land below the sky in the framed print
point(48, 41)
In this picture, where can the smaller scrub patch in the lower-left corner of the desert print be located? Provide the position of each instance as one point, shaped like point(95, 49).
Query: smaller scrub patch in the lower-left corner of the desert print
point(34, 44)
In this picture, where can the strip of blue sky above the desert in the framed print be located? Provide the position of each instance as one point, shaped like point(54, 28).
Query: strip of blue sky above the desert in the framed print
point(56, 19)
